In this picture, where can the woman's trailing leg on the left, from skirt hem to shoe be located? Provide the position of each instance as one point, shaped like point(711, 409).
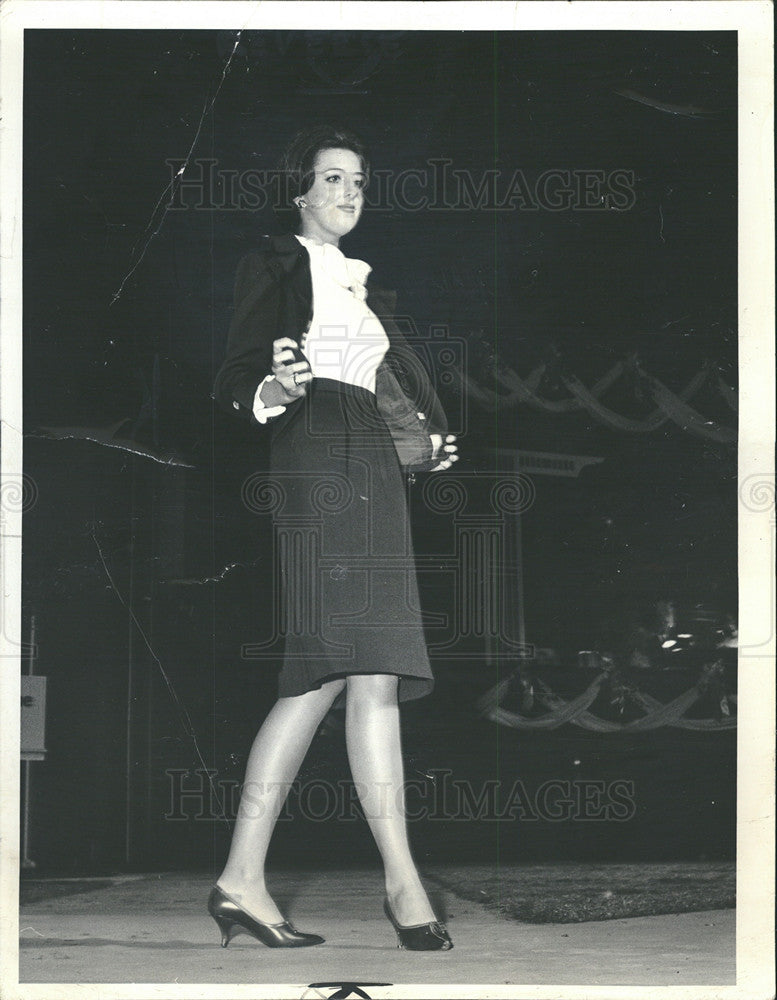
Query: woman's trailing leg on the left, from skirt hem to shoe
point(276, 756)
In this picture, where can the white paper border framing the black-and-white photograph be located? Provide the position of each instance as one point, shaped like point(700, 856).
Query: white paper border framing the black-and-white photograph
point(752, 19)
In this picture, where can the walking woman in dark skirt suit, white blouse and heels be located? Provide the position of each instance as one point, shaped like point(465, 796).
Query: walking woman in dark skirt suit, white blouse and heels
point(314, 356)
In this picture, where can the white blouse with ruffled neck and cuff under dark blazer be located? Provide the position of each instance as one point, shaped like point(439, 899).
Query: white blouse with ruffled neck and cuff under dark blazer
point(345, 340)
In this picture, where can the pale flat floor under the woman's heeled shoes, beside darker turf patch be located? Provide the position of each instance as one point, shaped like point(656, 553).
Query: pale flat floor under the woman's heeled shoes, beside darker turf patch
point(155, 929)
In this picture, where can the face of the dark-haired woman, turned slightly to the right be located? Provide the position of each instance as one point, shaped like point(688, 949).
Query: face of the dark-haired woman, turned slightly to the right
point(334, 201)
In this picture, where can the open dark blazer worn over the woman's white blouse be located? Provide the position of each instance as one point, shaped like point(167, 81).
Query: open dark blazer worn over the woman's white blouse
point(273, 299)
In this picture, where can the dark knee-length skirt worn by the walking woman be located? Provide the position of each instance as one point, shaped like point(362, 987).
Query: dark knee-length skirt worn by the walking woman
point(348, 591)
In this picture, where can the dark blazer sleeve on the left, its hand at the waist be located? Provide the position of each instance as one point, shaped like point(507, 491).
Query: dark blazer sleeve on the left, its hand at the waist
point(257, 299)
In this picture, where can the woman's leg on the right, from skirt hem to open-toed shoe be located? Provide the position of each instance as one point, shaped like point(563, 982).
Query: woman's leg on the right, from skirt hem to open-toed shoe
point(375, 754)
